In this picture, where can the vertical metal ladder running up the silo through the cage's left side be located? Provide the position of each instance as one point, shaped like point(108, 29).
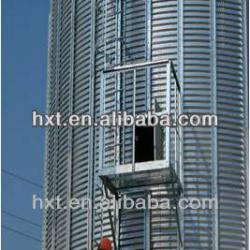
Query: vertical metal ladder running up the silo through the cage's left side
point(114, 218)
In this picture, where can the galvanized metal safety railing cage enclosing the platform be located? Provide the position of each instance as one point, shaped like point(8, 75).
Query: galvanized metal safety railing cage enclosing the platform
point(113, 85)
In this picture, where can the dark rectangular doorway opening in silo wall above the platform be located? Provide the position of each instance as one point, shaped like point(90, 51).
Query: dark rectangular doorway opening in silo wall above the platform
point(144, 144)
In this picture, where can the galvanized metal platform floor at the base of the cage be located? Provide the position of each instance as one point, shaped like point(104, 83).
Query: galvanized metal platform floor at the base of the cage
point(124, 177)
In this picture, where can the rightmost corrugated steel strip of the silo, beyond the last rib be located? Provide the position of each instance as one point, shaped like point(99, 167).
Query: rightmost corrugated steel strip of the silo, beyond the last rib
point(231, 132)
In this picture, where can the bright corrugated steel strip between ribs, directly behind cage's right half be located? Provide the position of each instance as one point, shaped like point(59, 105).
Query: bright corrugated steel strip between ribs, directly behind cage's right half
point(164, 46)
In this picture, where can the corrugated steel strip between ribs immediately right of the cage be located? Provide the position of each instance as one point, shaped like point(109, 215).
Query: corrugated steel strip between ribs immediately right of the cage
point(197, 148)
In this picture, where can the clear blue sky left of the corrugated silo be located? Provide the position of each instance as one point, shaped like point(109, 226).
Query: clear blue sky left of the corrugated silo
point(24, 73)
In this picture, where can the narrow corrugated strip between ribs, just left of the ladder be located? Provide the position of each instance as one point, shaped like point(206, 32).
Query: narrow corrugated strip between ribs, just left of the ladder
point(80, 135)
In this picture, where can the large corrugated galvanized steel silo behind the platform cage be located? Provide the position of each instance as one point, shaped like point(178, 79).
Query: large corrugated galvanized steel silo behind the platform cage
point(207, 42)
